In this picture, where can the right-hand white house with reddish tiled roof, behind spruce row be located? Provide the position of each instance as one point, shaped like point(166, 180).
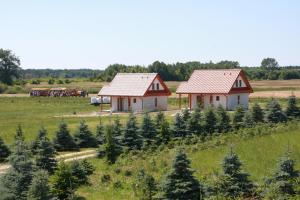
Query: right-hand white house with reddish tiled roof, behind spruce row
point(227, 87)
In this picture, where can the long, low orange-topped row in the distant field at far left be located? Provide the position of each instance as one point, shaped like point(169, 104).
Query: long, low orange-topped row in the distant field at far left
point(57, 92)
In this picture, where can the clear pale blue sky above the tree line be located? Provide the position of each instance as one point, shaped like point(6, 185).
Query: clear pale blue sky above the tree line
point(95, 33)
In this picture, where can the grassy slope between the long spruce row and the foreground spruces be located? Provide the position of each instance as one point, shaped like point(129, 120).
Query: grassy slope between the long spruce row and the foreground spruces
point(259, 155)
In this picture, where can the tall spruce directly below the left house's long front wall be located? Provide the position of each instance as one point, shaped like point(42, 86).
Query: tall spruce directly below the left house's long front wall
point(132, 139)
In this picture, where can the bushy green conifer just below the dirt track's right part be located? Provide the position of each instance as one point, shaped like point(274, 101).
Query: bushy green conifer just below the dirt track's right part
point(82, 170)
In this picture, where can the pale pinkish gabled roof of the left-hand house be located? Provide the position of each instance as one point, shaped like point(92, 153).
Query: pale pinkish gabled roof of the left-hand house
point(129, 84)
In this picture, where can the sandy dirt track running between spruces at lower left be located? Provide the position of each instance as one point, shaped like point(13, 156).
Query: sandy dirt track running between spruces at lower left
point(65, 157)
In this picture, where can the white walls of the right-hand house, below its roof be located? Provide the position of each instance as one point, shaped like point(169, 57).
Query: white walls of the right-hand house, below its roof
point(228, 102)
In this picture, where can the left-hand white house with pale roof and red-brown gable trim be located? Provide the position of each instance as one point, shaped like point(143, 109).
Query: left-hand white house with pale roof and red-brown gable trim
point(136, 92)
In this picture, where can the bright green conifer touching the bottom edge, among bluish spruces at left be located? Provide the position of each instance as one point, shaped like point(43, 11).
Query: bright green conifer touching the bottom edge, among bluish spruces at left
point(64, 183)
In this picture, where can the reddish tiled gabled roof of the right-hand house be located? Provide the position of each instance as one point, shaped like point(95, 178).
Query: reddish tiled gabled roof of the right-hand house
point(212, 81)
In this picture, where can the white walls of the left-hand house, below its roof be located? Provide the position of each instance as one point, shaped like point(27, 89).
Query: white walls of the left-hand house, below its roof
point(137, 104)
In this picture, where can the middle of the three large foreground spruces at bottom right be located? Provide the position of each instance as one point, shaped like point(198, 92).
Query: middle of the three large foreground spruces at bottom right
point(233, 181)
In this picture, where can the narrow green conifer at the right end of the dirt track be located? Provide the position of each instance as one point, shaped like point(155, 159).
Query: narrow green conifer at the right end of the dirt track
point(111, 148)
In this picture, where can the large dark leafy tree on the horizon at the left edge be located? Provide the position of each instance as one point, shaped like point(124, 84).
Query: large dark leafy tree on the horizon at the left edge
point(9, 66)
